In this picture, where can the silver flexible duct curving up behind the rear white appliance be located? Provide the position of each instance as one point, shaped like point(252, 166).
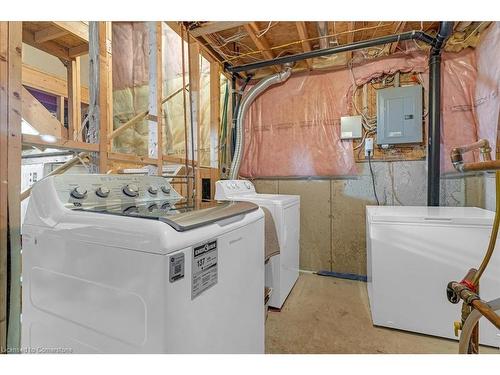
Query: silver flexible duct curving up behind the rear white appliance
point(245, 103)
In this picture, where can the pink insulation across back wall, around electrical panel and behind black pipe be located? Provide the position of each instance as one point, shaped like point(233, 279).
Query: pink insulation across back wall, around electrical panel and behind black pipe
point(295, 126)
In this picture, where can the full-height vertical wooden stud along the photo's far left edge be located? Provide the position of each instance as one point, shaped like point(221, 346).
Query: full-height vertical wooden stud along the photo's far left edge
point(10, 180)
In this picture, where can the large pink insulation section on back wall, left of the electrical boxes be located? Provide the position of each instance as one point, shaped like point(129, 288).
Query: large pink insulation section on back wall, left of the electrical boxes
point(295, 128)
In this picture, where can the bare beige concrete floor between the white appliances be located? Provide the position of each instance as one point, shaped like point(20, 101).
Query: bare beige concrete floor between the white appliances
point(329, 315)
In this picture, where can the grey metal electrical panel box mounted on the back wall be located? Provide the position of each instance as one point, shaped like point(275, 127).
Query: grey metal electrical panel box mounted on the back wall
point(399, 115)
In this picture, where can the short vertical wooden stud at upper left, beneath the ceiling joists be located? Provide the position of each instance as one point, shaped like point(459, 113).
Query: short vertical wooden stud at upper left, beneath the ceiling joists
point(74, 101)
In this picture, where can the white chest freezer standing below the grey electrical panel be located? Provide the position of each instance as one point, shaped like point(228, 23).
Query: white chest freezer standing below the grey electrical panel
point(412, 254)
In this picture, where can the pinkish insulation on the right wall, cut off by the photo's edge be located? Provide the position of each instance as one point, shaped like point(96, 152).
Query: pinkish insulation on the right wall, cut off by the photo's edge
point(487, 101)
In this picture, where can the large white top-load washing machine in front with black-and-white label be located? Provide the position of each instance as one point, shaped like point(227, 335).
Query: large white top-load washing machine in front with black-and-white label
point(122, 264)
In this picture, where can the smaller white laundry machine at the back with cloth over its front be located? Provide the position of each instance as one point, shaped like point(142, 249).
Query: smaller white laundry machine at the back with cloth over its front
point(282, 270)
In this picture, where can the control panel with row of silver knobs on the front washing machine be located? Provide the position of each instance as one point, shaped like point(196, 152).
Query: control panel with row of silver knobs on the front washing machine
point(96, 189)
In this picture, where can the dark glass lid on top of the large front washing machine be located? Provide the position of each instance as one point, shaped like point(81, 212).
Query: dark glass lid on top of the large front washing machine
point(178, 214)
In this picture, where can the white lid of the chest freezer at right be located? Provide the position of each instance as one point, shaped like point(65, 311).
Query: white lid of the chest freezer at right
point(430, 215)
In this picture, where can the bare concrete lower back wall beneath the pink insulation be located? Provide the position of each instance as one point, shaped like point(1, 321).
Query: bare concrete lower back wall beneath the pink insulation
point(333, 210)
